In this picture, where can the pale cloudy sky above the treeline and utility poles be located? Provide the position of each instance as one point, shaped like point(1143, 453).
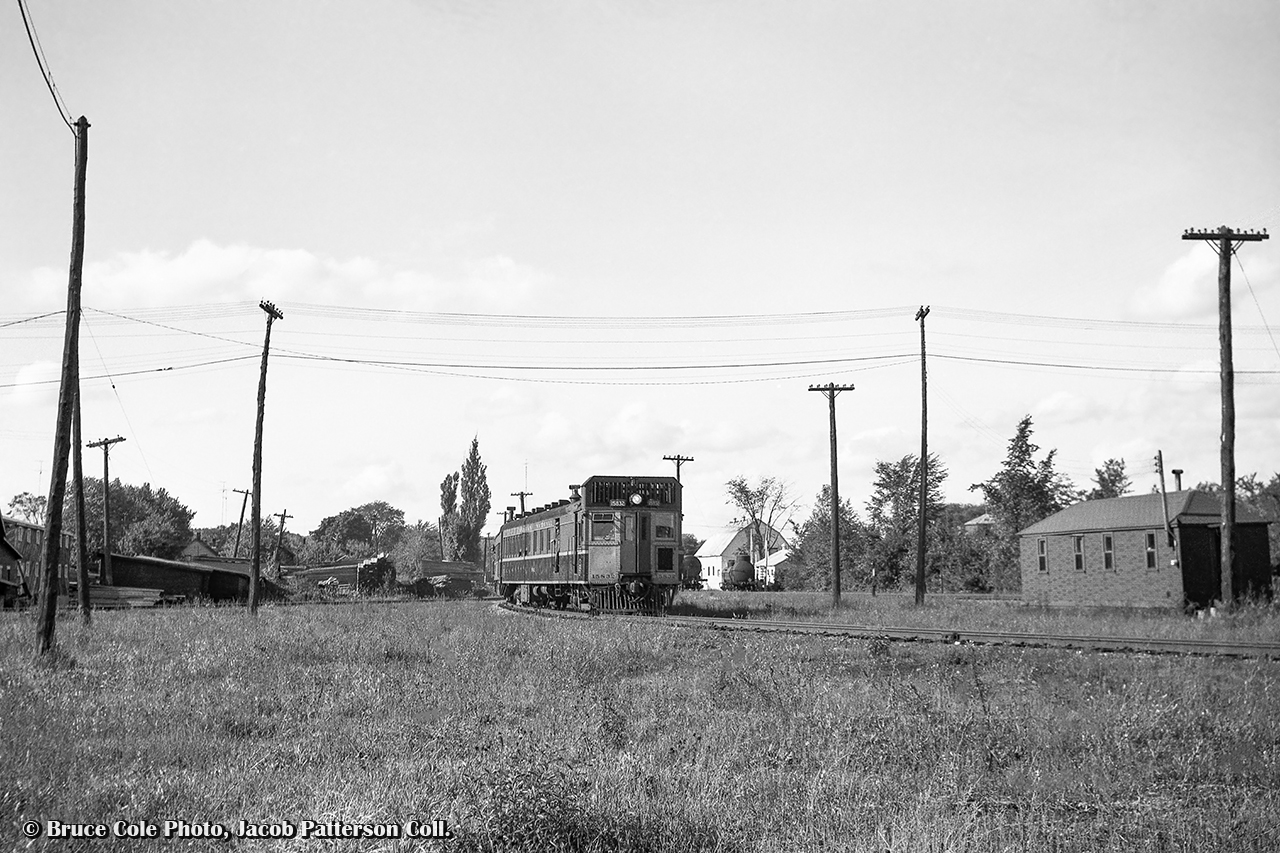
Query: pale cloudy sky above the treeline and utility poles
point(593, 235)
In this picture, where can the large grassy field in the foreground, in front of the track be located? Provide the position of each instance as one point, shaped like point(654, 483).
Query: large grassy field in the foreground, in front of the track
point(532, 733)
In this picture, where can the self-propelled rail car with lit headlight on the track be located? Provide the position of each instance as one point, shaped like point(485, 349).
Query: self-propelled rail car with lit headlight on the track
point(614, 545)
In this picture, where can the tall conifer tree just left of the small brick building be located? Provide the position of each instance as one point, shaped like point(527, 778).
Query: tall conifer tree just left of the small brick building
point(1020, 495)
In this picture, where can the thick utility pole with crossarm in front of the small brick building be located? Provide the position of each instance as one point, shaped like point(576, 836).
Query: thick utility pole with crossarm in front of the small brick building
point(1226, 241)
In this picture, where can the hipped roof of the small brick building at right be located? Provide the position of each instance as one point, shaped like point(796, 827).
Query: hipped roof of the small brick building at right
point(1142, 512)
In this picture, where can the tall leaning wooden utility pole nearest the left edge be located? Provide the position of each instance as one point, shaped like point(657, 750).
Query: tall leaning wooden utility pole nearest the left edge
point(67, 393)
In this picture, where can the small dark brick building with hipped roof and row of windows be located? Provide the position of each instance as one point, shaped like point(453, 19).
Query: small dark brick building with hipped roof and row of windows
point(1121, 553)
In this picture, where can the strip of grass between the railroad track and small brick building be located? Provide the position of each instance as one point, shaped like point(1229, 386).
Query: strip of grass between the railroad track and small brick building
point(1254, 623)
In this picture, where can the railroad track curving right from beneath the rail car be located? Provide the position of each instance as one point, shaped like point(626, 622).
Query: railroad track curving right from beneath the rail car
point(1123, 645)
